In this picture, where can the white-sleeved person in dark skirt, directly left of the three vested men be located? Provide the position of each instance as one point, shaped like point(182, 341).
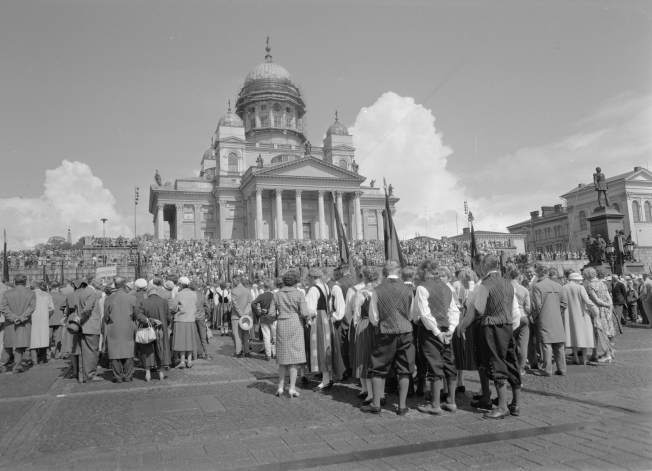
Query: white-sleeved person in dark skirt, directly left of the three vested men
point(365, 334)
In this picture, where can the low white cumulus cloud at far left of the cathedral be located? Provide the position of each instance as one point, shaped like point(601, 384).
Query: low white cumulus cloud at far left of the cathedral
point(73, 197)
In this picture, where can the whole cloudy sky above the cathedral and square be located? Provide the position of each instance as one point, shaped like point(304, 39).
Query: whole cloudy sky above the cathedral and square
point(506, 104)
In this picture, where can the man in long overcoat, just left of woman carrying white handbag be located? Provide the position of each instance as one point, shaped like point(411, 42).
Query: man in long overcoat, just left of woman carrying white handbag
point(120, 328)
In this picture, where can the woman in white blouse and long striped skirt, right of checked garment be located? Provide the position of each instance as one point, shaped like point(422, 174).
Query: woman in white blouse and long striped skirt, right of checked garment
point(323, 356)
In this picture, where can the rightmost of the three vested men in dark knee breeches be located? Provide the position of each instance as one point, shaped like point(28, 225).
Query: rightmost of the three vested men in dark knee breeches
point(497, 306)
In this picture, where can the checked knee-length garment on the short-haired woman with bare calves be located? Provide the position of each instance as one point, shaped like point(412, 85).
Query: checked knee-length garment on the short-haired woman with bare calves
point(289, 310)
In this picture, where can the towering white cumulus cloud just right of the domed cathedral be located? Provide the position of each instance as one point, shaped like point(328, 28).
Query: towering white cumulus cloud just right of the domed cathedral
point(397, 139)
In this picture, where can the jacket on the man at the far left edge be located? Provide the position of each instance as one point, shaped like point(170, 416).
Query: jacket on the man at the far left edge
point(18, 303)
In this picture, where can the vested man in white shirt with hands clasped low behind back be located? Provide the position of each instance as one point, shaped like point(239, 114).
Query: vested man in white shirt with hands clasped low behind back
point(437, 316)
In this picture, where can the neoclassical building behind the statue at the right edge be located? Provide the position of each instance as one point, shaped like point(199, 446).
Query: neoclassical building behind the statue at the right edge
point(559, 229)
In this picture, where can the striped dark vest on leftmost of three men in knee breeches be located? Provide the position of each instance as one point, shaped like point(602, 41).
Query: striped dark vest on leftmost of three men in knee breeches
point(394, 302)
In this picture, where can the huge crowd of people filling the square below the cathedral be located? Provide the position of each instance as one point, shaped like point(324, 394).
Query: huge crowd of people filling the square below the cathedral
point(410, 330)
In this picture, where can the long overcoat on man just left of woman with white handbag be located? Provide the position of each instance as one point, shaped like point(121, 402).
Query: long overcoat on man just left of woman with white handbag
point(120, 324)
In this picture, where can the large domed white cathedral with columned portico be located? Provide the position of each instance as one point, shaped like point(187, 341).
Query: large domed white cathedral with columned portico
point(262, 179)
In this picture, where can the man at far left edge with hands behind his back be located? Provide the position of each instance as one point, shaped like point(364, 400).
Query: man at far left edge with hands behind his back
point(17, 306)
